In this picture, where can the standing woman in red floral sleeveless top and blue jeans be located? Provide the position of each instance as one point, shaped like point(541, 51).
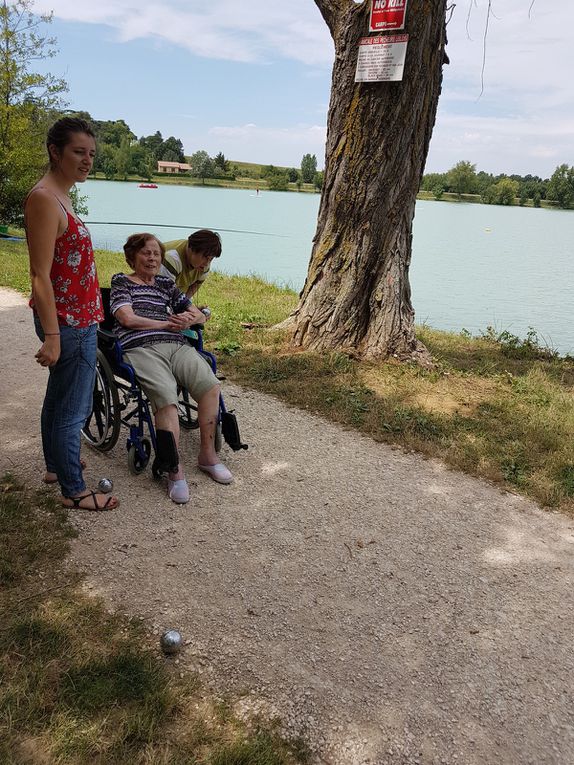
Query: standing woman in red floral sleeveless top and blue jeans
point(67, 308)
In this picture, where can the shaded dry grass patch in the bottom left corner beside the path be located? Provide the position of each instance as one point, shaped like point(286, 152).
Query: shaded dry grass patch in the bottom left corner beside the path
point(81, 686)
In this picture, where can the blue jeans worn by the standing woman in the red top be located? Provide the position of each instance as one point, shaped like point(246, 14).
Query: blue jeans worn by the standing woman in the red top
point(68, 403)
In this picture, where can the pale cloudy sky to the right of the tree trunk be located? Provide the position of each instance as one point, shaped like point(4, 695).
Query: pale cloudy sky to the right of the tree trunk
point(523, 121)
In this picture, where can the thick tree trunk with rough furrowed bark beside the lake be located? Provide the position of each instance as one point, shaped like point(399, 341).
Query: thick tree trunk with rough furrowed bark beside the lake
point(357, 294)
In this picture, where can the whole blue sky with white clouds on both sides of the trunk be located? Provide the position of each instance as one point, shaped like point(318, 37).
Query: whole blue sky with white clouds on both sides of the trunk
point(252, 78)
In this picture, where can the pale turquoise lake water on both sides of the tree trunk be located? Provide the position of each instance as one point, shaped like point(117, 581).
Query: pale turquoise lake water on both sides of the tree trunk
point(473, 265)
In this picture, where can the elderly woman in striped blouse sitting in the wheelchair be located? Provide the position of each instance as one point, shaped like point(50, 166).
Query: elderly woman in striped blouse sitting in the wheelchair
point(150, 313)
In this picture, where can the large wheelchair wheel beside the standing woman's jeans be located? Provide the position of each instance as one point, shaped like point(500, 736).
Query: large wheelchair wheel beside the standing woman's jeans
point(102, 428)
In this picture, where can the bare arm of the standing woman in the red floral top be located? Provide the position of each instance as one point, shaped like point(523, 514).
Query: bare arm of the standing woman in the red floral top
point(44, 223)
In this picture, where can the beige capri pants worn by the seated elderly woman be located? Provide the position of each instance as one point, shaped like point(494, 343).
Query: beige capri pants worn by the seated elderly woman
point(162, 366)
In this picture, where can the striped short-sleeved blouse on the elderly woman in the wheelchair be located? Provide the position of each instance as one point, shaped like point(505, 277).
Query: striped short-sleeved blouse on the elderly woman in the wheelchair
point(151, 301)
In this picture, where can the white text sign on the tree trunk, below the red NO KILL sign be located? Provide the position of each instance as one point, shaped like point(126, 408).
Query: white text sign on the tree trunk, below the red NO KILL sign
point(381, 59)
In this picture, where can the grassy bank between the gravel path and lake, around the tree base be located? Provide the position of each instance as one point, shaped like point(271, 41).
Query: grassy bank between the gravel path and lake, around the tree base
point(499, 407)
